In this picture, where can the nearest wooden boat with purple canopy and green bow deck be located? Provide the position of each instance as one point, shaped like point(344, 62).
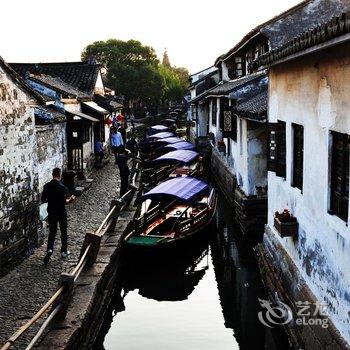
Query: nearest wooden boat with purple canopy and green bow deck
point(173, 213)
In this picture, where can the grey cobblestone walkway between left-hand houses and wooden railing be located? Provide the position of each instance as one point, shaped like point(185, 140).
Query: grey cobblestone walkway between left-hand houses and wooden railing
point(28, 287)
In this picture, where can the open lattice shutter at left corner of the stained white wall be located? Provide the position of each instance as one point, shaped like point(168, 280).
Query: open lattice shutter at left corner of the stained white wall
point(276, 159)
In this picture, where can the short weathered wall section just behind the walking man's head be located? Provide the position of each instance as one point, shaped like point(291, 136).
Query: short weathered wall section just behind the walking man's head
point(51, 149)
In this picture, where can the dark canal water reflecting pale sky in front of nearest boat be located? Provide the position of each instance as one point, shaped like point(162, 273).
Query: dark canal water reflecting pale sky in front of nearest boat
point(205, 299)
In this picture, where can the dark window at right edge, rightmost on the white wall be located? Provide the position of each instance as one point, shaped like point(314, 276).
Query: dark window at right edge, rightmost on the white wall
point(339, 196)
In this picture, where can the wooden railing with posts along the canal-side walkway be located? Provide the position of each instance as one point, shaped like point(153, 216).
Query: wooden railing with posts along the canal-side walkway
point(60, 301)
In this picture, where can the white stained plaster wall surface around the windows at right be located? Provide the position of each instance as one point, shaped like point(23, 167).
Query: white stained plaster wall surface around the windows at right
point(314, 91)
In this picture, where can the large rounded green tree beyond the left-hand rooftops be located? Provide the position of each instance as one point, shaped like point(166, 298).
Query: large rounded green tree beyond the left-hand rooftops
point(132, 69)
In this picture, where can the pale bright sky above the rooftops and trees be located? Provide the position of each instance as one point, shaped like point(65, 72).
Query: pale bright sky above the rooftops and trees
point(194, 32)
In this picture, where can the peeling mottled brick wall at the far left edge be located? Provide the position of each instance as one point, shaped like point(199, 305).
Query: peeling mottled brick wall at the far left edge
point(18, 171)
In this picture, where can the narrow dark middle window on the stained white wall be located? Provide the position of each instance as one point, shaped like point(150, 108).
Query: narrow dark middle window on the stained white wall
point(298, 155)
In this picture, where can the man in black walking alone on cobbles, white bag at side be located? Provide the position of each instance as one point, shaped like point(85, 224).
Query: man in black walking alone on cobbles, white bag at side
point(55, 194)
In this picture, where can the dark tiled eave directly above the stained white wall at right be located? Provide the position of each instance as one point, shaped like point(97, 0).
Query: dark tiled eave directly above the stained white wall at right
point(336, 27)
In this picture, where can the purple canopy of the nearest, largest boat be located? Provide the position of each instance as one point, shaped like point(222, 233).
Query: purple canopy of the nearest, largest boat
point(185, 189)
